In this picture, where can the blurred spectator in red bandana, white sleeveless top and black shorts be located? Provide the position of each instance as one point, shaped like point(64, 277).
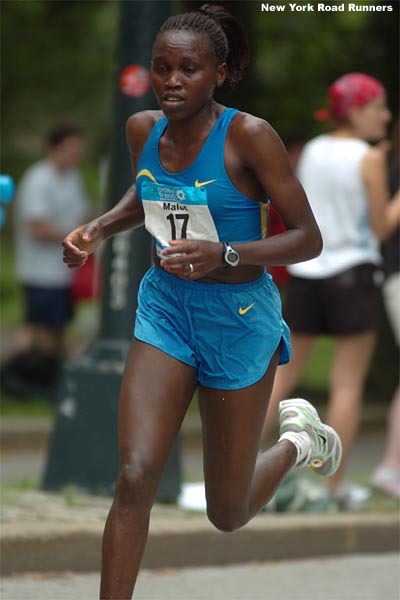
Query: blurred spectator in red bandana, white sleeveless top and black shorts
point(338, 293)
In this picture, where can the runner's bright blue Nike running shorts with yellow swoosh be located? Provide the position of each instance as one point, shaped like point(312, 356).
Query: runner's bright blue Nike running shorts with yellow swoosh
point(227, 332)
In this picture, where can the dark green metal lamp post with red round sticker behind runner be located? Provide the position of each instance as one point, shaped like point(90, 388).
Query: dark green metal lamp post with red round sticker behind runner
point(83, 449)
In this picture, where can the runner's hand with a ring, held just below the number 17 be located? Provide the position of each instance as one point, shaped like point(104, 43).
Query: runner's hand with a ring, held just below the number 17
point(203, 256)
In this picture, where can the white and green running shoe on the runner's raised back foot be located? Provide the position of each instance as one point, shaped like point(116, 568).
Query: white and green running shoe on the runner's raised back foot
point(318, 445)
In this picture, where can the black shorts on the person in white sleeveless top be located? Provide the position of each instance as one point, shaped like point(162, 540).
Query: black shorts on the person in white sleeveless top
point(344, 304)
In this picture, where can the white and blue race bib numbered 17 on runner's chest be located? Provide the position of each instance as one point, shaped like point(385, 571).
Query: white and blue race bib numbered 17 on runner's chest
point(175, 213)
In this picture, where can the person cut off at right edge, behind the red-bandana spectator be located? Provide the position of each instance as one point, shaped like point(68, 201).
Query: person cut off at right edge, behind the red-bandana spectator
point(386, 476)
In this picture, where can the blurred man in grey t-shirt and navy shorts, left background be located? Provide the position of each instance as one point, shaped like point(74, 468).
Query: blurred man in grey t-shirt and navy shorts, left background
point(50, 200)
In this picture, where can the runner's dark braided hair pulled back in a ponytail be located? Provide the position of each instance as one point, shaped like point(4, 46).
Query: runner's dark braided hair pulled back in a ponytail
point(226, 36)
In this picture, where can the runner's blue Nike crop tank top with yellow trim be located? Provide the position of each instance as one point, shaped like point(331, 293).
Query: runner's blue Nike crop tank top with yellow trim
point(237, 218)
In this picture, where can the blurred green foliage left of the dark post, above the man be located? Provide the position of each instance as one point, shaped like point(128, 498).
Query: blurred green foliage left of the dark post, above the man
point(57, 65)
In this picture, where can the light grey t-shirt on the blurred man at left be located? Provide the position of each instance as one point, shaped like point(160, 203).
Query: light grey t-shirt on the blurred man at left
point(59, 199)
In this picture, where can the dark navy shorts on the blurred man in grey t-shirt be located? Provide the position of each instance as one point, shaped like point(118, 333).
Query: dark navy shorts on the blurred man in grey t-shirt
point(50, 307)
